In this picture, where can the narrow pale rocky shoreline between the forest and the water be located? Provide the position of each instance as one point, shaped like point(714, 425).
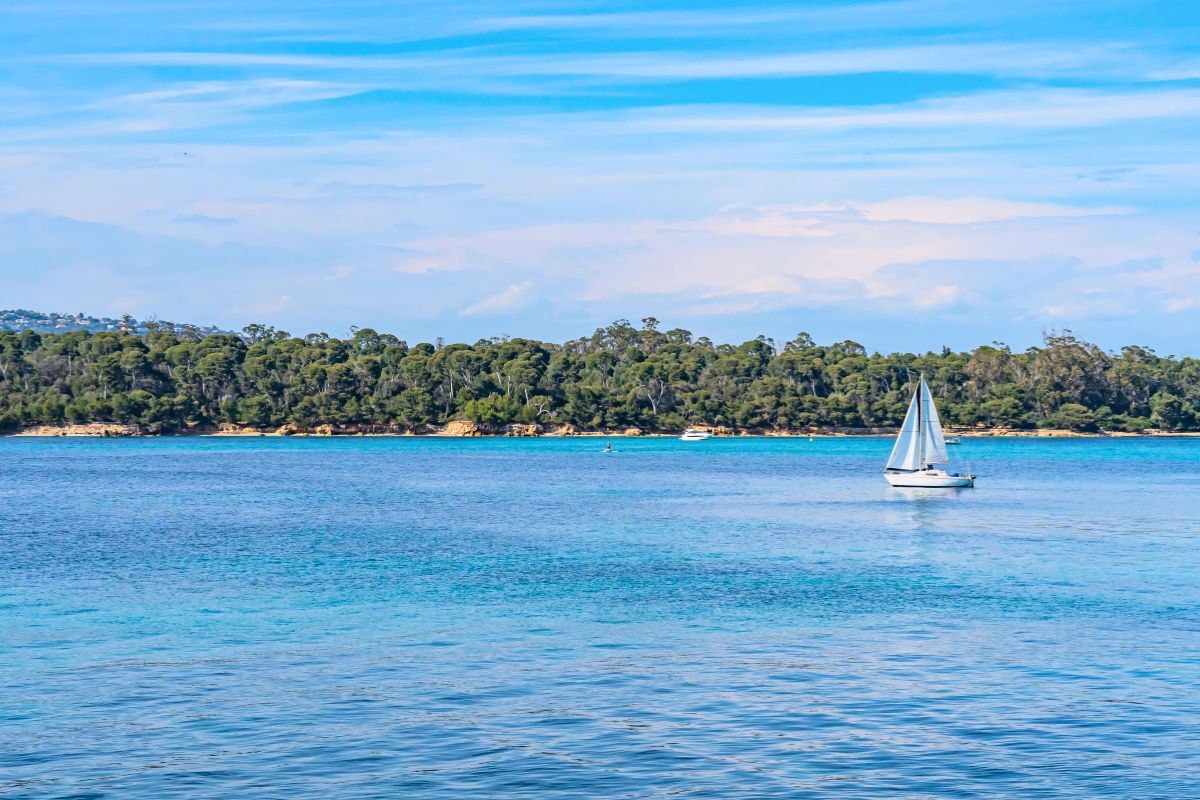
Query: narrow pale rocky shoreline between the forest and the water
point(461, 430)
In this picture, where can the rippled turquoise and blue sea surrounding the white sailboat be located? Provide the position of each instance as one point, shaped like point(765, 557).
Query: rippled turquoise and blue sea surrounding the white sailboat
point(423, 618)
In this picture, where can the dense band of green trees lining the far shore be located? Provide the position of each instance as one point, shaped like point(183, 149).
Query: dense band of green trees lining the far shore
point(173, 380)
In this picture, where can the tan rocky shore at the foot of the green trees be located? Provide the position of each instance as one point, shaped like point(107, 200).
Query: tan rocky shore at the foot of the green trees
point(467, 429)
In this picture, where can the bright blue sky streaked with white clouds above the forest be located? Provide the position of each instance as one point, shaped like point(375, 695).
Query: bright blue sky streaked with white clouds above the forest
point(908, 175)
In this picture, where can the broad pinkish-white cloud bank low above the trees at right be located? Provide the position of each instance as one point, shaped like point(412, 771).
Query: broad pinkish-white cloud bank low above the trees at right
point(980, 254)
